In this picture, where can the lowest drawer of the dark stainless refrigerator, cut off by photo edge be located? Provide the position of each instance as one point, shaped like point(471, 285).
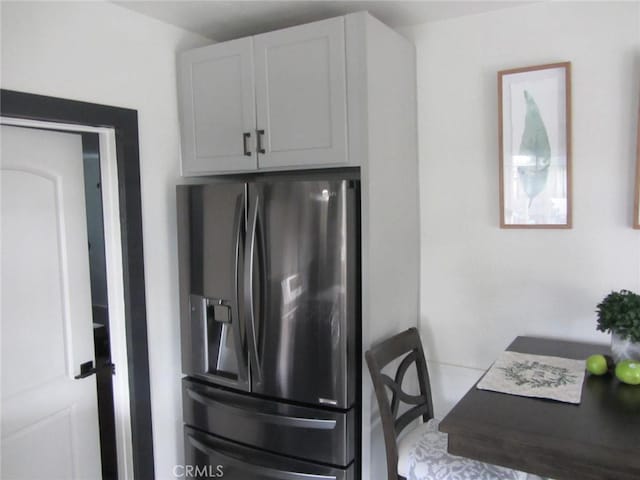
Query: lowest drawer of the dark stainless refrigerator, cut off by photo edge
point(208, 456)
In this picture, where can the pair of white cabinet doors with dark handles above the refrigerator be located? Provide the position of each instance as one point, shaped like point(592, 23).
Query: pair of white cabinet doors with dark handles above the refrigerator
point(294, 115)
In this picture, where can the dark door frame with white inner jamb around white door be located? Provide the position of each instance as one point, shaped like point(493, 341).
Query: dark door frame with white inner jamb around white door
point(116, 131)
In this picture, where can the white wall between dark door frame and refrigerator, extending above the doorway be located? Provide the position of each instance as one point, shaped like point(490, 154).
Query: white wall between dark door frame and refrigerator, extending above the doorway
point(102, 53)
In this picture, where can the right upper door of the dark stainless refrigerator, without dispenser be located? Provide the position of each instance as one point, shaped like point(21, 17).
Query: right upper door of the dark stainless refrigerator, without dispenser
point(304, 296)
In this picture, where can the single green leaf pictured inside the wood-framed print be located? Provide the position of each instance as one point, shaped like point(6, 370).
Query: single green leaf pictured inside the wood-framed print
point(534, 144)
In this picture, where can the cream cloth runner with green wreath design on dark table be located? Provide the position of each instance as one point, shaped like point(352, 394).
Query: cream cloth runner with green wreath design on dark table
point(536, 376)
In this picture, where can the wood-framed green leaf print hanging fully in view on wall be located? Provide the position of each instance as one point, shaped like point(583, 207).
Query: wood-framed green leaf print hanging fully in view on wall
point(534, 110)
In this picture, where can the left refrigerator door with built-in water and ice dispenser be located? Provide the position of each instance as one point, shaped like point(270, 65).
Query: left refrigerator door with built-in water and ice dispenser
point(211, 220)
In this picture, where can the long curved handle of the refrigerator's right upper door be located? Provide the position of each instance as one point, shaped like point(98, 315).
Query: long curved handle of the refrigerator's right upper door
point(250, 250)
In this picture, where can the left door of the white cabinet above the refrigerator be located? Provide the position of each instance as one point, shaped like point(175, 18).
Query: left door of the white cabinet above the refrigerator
point(217, 102)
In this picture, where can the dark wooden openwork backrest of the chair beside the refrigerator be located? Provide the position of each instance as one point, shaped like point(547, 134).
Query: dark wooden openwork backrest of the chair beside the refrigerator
point(408, 347)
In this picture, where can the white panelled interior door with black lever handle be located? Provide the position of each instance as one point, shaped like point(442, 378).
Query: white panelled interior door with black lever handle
point(49, 419)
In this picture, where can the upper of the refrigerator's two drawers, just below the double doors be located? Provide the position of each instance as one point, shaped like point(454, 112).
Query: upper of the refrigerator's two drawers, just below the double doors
point(313, 433)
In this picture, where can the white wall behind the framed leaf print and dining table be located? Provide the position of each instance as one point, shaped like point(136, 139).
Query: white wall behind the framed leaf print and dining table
point(482, 286)
